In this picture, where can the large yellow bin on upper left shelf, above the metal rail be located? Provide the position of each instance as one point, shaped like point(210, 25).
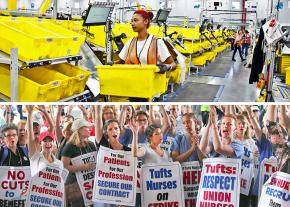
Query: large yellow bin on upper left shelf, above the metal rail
point(33, 43)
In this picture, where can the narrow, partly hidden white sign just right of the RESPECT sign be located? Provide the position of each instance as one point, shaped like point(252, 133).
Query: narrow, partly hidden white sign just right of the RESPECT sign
point(247, 171)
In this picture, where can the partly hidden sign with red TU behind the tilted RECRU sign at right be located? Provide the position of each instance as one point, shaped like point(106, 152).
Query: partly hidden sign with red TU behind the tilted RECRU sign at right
point(267, 168)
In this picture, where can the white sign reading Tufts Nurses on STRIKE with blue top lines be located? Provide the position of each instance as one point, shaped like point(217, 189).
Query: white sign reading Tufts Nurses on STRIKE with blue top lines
point(162, 185)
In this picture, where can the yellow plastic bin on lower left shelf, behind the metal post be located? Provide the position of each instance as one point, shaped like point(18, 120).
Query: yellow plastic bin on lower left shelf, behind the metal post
point(34, 85)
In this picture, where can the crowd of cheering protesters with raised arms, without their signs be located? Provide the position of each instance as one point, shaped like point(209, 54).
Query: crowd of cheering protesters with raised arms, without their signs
point(39, 135)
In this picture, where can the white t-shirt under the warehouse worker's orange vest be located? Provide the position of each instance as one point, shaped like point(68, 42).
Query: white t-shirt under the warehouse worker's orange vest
point(162, 51)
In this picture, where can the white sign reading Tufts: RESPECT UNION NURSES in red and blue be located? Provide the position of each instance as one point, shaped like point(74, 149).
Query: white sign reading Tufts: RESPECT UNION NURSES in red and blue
point(220, 183)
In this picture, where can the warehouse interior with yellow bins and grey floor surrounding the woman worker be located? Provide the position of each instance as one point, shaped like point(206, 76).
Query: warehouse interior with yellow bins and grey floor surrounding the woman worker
point(49, 51)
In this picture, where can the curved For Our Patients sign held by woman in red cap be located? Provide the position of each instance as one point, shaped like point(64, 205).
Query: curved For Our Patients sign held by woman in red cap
point(47, 187)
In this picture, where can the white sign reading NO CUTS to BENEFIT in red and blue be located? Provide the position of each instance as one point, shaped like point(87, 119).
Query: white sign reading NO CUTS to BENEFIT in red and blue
point(14, 184)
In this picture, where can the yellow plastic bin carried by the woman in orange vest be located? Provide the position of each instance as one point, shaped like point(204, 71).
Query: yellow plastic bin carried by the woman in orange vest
point(140, 81)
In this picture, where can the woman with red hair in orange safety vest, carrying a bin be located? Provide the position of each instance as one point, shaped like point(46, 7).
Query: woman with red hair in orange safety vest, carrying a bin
point(145, 48)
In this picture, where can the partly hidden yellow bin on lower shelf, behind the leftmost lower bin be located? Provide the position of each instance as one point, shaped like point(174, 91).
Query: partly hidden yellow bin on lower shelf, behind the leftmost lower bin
point(79, 76)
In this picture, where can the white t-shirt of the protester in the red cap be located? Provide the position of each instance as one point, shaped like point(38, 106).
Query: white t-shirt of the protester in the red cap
point(38, 162)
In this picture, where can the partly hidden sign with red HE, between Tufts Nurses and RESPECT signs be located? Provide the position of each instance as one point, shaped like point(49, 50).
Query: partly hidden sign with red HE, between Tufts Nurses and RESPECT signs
point(191, 178)
